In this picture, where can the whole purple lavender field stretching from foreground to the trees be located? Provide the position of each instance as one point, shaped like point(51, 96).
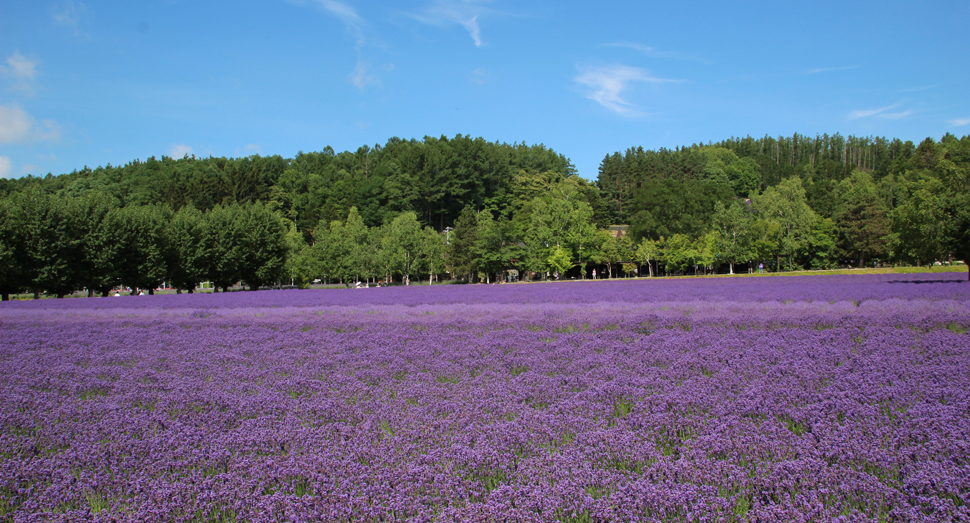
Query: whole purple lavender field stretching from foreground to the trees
point(822, 398)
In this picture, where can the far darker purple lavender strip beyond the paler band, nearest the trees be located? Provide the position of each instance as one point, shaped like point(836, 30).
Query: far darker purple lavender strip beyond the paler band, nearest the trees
point(856, 288)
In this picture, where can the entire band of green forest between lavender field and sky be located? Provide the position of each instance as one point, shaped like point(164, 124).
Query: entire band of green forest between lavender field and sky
point(465, 209)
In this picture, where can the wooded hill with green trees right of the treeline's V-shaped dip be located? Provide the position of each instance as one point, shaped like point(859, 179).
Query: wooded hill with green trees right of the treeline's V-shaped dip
point(810, 202)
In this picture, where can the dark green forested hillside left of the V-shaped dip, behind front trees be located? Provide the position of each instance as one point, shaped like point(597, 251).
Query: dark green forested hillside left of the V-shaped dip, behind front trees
point(434, 178)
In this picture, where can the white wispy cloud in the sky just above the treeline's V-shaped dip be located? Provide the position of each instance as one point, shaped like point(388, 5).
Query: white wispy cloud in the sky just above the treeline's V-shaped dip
point(606, 85)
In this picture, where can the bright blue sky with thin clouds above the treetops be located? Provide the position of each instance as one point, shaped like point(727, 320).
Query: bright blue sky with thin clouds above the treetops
point(98, 82)
